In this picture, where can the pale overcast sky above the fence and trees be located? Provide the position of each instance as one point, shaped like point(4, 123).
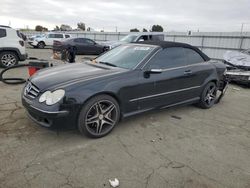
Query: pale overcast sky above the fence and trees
point(107, 15)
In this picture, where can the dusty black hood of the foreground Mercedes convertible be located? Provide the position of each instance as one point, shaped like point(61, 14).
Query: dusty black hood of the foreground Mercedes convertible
point(63, 75)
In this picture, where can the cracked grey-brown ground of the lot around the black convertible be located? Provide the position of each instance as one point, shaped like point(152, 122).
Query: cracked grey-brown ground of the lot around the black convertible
point(178, 147)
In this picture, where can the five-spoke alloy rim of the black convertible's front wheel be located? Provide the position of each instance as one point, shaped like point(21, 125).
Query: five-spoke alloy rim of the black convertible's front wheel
point(101, 117)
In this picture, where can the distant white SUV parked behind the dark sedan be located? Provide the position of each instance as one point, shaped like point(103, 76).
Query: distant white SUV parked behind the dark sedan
point(47, 39)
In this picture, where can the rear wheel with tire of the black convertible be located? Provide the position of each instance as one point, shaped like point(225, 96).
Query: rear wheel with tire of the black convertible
point(208, 96)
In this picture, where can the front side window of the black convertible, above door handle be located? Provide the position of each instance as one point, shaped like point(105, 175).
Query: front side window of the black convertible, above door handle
point(168, 58)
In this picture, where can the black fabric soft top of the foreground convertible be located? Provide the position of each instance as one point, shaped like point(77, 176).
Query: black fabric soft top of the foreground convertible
point(167, 44)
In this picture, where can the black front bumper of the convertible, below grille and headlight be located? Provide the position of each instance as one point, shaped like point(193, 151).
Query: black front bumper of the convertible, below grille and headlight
point(44, 117)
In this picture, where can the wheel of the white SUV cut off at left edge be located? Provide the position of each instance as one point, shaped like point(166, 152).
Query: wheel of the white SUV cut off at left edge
point(8, 59)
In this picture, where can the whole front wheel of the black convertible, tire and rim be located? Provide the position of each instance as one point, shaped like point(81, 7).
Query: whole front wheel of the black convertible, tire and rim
point(93, 121)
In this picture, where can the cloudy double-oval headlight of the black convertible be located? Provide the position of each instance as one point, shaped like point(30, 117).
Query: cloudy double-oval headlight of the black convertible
point(51, 98)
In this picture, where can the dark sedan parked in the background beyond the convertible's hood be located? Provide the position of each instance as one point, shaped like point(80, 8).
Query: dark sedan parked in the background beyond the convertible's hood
point(82, 46)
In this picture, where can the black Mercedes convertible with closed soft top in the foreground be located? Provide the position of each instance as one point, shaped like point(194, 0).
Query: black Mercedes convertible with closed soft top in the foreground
point(125, 81)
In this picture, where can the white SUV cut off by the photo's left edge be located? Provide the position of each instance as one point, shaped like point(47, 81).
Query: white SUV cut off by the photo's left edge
point(12, 47)
